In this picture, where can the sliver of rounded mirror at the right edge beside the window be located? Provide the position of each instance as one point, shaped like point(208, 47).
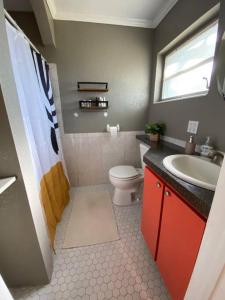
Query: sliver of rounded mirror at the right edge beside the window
point(221, 69)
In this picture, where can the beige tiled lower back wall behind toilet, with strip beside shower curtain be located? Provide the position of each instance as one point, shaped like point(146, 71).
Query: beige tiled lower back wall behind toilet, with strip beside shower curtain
point(89, 156)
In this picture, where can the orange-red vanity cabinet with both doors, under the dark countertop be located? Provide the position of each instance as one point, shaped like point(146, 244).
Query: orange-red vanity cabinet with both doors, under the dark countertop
point(173, 235)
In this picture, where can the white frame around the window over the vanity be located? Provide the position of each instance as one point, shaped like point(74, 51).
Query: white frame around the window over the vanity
point(184, 41)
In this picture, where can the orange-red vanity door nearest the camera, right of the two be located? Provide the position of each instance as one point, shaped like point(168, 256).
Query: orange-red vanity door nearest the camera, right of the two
point(180, 238)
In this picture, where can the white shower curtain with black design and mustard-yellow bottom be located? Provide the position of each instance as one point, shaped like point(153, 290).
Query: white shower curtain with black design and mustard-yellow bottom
point(31, 74)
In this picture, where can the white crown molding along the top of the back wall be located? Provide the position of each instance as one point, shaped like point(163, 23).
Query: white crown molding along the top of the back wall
point(104, 19)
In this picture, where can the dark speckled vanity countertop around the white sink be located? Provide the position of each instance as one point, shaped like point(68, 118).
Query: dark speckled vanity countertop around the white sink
point(199, 199)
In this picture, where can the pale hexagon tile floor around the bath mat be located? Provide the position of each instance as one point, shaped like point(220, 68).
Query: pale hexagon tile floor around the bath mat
point(117, 270)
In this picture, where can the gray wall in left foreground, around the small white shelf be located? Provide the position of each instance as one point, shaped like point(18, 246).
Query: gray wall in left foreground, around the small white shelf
point(21, 262)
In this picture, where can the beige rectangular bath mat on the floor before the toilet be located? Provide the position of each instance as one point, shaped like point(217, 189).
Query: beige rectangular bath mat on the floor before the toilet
point(92, 220)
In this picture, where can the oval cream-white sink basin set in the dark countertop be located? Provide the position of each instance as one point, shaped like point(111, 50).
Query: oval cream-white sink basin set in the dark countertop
point(193, 169)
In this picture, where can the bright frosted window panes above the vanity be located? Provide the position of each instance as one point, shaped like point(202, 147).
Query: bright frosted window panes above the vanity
point(187, 69)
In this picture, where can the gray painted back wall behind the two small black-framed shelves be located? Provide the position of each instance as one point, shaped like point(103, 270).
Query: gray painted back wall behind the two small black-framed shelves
point(96, 52)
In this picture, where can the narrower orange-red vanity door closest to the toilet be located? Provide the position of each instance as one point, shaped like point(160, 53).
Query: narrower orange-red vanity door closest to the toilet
point(151, 211)
